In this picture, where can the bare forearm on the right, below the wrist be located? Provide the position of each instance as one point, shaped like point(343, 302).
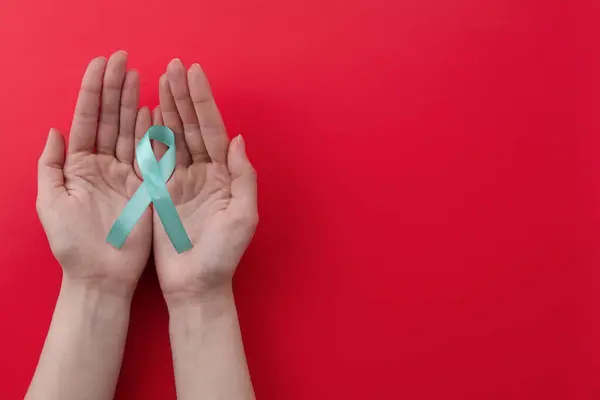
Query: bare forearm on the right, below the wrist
point(207, 347)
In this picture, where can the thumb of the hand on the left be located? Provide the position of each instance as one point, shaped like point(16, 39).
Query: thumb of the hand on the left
point(50, 166)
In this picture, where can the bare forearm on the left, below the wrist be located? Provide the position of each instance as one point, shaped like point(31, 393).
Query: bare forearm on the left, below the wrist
point(82, 354)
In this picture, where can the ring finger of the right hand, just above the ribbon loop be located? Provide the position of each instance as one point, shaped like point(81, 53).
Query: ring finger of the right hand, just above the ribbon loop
point(172, 120)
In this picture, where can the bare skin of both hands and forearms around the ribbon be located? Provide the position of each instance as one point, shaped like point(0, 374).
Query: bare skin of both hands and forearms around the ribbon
point(80, 195)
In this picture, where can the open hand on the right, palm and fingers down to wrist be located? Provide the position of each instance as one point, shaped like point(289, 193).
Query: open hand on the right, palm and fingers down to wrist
point(213, 188)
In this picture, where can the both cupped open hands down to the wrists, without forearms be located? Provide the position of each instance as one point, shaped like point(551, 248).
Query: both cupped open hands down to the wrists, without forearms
point(82, 191)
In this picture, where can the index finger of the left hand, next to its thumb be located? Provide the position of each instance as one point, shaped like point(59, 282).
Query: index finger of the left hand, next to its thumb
point(82, 138)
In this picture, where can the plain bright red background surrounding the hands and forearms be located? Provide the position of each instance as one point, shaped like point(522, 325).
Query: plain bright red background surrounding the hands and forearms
point(428, 189)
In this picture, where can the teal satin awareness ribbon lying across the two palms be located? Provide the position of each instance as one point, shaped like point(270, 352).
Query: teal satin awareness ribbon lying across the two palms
point(153, 190)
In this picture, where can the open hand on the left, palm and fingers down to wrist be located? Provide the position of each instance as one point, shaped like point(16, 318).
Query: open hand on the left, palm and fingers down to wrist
point(81, 195)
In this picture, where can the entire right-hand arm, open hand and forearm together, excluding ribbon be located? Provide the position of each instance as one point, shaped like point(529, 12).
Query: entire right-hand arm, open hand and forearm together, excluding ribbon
point(214, 190)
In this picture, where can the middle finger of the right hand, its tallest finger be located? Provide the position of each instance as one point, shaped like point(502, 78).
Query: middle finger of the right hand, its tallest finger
point(176, 75)
